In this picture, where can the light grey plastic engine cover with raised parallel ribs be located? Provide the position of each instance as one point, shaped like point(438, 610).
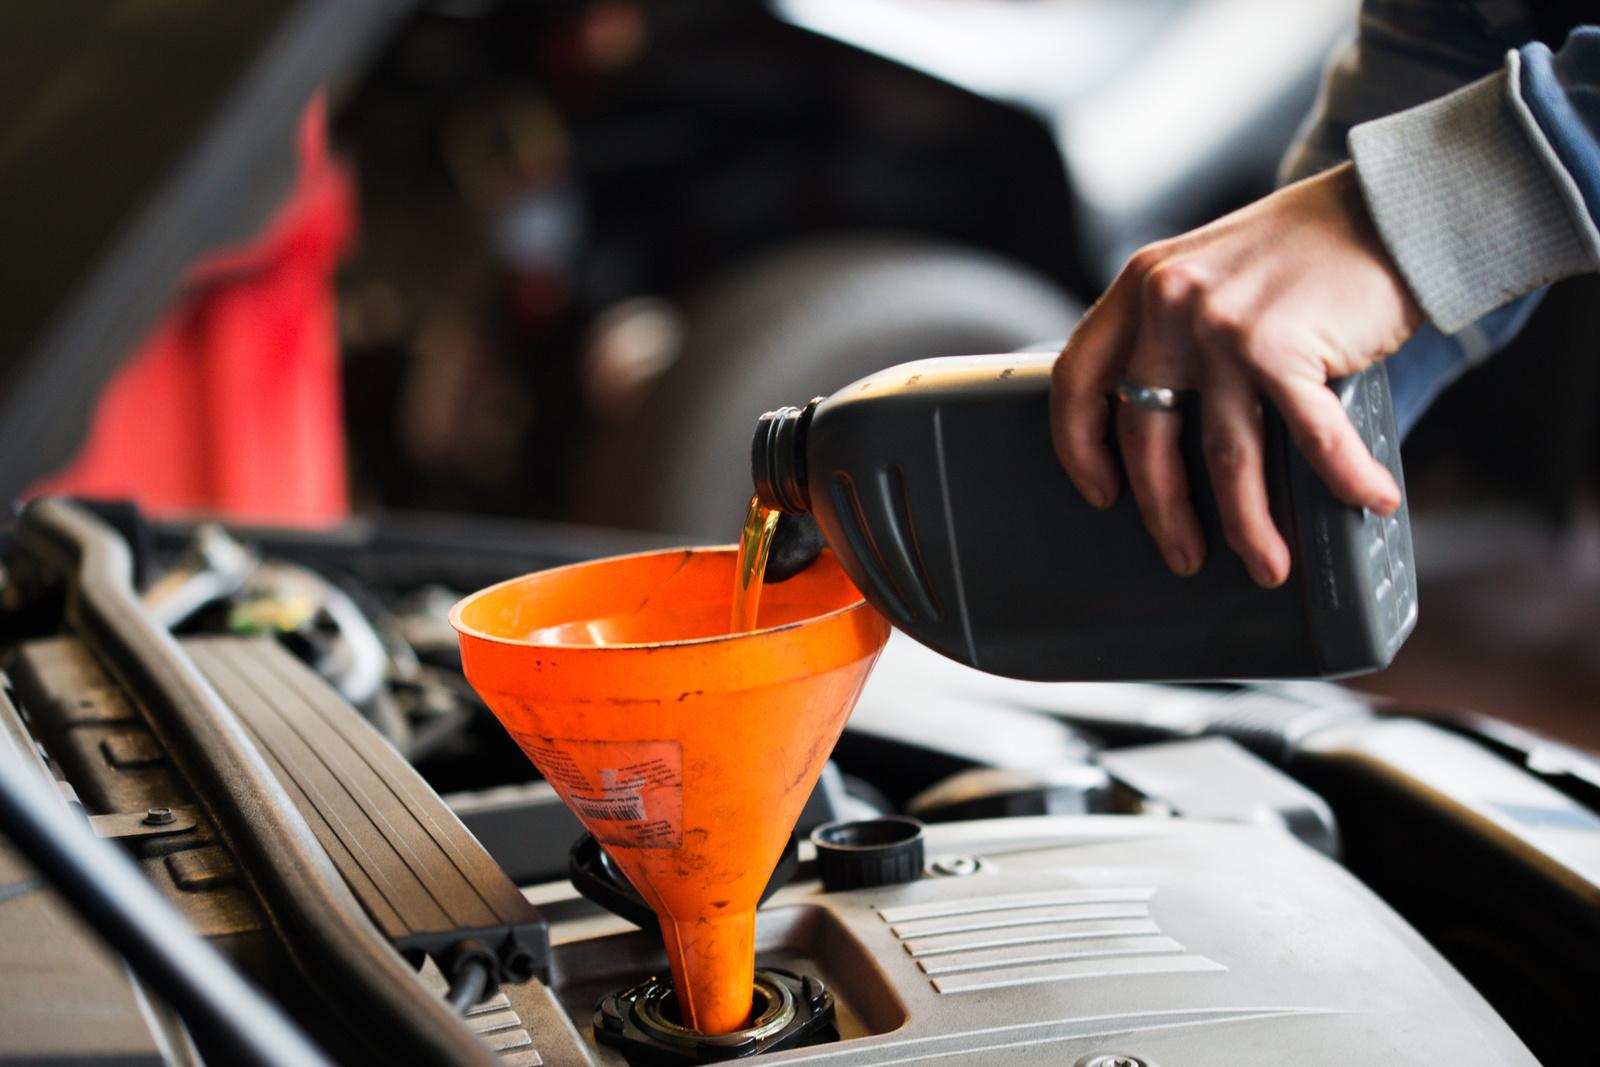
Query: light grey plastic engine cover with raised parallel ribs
point(1175, 941)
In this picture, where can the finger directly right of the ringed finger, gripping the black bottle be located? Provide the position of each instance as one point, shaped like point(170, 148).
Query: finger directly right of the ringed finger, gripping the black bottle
point(1233, 446)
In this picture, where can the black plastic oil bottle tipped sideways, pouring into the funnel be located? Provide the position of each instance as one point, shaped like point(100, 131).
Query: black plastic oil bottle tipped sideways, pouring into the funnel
point(937, 487)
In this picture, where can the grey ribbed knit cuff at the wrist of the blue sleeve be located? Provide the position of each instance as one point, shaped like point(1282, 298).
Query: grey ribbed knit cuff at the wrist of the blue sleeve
point(1471, 201)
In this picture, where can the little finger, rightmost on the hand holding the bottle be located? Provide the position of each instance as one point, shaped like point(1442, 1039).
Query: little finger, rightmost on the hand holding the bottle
point(1332, 446)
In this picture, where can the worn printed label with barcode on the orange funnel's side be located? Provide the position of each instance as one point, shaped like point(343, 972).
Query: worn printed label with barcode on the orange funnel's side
point(626, 793)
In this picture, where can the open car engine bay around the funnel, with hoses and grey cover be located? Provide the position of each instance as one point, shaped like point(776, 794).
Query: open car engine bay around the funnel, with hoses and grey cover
point(1159, 874)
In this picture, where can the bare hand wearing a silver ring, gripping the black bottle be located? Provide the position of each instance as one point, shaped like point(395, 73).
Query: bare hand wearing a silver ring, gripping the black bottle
point(1270, 302)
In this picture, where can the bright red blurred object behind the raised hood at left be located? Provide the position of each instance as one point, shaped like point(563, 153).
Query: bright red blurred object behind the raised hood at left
point(233, 406)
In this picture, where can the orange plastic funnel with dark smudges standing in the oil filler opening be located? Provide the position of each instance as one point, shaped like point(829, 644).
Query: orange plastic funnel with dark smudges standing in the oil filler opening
point(686, 751)
